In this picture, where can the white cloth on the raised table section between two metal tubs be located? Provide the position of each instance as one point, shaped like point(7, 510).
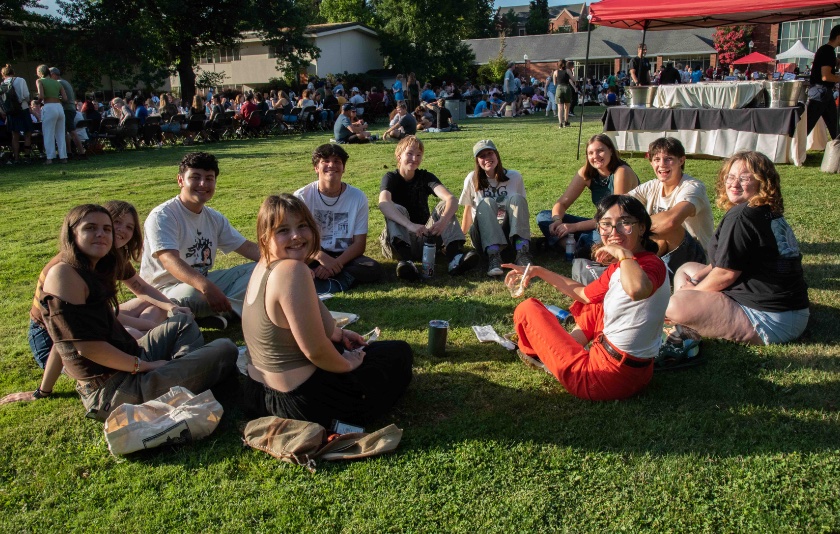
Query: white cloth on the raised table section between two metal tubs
point(716, 95)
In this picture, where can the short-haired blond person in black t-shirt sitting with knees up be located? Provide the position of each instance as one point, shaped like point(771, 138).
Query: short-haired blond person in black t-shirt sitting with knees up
point(404, 201)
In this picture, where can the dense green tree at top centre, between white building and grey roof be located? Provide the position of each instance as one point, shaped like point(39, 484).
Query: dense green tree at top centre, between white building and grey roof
point(424, 36)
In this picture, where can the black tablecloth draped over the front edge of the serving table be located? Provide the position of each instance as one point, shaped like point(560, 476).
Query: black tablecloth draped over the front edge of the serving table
point(776, 121)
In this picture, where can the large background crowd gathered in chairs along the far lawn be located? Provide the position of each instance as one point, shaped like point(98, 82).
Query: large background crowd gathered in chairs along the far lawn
point(154, 119)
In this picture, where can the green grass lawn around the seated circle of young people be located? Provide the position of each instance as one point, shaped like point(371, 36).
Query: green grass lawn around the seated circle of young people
point(748, 442)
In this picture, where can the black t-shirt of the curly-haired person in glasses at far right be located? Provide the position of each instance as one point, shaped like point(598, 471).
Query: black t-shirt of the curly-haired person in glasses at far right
point(764, 249)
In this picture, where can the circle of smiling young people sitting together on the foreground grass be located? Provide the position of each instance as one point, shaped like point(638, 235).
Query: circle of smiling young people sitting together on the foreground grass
point(742, 281)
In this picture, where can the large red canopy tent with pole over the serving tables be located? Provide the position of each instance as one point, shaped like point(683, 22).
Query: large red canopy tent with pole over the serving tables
point(669, 15)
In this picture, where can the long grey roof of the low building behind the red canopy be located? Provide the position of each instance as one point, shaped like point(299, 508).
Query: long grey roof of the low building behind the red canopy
point(607, 43)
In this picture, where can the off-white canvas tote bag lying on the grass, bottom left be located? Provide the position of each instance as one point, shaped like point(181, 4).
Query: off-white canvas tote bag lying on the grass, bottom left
point(176, 417)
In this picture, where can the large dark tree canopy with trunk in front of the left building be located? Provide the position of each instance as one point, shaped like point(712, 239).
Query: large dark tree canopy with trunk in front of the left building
point(145, 40)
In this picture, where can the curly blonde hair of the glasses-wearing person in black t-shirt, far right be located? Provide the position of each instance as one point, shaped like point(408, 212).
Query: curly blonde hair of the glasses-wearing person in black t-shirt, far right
point(765, 173)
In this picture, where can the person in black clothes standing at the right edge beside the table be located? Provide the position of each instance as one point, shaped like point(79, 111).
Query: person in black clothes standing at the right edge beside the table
point(821, 93)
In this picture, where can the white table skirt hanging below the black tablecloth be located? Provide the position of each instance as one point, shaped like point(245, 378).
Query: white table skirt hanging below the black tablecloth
point(724, 143)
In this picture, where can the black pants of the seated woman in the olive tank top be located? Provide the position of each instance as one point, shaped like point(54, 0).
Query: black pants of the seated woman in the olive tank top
point(357, 397)
